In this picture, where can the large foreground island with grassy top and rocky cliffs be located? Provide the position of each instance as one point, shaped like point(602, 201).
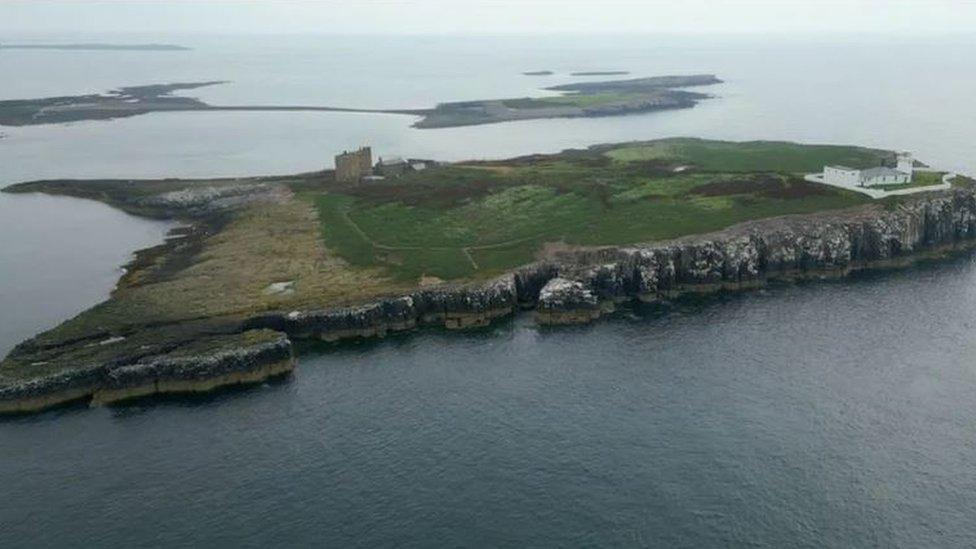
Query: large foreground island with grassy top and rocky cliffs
point(262, 262)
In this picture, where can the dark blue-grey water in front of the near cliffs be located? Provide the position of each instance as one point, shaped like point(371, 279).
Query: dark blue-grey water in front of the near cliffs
point(835, 414)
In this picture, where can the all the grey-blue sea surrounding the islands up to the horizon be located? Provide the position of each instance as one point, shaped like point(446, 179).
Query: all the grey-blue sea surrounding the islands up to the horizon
point(828, 414)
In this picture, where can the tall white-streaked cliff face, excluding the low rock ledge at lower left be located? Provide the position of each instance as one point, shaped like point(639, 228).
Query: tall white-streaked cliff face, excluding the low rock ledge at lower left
point(575, 286)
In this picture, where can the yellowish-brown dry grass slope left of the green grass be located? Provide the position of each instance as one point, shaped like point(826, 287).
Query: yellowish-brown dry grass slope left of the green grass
point(225, 275)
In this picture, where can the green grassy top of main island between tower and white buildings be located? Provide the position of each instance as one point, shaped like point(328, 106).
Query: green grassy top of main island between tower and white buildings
point(477, 219)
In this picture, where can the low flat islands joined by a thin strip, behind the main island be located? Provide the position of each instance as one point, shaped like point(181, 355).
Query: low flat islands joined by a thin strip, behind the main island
point(590, 99)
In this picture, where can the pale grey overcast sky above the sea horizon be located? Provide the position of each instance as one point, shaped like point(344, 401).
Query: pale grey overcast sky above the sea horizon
point(487, 16)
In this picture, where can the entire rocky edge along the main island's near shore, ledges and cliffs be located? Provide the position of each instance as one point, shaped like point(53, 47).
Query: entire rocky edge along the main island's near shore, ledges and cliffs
point(568, 287)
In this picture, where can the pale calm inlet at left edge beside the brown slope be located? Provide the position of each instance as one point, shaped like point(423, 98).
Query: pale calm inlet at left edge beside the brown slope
point(59, 256)
